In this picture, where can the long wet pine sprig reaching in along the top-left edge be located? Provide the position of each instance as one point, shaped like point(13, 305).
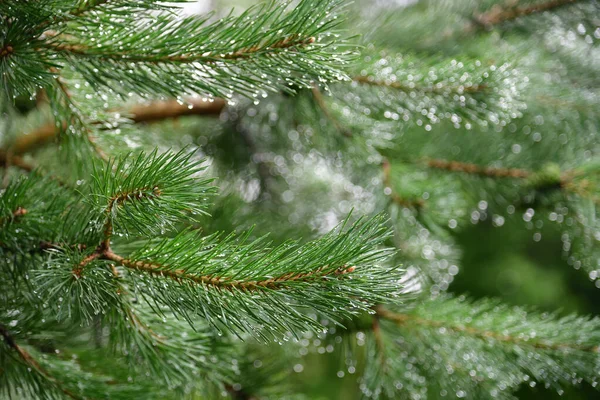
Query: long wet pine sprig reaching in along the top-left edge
point(266, 48)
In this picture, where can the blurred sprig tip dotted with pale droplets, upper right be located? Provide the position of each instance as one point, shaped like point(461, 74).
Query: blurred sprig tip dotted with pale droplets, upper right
point(396, 87)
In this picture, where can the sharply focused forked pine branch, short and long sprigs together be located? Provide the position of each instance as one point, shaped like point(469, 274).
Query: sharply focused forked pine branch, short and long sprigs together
point(242, 286)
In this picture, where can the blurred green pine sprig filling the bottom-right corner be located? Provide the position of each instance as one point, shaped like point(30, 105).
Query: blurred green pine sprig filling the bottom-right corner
point(482, 349)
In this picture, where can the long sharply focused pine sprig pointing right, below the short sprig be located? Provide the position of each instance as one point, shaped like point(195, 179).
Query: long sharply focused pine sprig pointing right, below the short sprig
point(268, 291)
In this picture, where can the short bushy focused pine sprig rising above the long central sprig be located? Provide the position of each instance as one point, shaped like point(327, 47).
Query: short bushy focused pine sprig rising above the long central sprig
point(149, 193)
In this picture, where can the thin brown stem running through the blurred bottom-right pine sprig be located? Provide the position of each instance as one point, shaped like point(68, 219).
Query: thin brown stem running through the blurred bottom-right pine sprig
point(409, 319)
